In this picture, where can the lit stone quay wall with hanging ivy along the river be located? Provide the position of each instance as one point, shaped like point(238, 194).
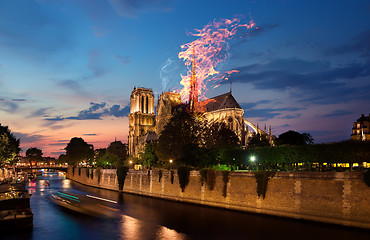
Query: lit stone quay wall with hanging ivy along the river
point(332, 197)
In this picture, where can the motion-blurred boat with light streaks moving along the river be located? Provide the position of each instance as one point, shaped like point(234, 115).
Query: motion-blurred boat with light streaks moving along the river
point(85, 204)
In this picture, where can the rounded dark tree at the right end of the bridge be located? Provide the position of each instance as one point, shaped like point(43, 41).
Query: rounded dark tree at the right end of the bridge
point(77, 150)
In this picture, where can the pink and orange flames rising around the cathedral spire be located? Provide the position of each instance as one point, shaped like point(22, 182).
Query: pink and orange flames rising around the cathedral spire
point(210, 49)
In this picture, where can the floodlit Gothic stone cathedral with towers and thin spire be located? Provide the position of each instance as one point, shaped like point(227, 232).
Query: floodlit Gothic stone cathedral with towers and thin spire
point(145, 125)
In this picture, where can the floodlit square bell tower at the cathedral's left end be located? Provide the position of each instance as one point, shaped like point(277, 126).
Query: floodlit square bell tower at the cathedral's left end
point(141, 118)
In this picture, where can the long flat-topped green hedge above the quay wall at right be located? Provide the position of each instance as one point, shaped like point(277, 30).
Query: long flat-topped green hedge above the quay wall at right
point(287, 157)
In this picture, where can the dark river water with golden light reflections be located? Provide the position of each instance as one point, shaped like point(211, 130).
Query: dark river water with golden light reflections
point(146, 218)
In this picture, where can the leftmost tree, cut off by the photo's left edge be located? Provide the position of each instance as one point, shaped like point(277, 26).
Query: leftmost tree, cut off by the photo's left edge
point(9, 146)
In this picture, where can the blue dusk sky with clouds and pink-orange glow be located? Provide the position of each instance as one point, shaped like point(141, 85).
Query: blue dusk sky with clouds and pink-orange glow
point(67, 67)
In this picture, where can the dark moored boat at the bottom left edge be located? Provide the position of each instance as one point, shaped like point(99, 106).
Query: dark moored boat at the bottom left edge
point(15, 211)
